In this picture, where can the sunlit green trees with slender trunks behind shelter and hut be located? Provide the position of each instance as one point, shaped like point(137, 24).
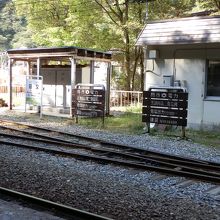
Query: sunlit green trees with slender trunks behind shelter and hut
point(100, 24)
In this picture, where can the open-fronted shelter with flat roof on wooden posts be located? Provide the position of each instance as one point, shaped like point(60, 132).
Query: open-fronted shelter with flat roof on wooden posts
point(62, 68)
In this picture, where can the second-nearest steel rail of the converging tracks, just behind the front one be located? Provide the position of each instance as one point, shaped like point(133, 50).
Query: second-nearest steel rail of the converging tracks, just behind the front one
point(161, 160)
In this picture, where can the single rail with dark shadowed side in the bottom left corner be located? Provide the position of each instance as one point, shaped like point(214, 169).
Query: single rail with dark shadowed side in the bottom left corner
point(59, 210)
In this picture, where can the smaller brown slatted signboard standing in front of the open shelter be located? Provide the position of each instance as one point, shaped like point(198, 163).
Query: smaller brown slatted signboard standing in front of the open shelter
point(89, 100)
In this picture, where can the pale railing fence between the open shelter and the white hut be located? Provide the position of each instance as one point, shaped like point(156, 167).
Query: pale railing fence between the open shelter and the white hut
point(120, 98)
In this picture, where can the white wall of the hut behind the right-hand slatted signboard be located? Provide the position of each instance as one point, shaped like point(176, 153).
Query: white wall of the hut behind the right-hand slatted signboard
point(200, 111)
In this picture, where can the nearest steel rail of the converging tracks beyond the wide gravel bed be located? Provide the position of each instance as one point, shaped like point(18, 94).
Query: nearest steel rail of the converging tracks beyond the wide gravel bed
point(175, 171)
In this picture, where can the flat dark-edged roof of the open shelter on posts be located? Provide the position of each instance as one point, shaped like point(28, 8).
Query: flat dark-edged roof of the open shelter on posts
point(58, 52)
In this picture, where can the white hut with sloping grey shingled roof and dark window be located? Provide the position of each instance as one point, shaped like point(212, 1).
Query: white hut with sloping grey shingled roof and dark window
point(186, 52)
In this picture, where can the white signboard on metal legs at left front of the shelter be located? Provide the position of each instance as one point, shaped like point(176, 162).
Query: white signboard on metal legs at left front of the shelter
point(34, 91)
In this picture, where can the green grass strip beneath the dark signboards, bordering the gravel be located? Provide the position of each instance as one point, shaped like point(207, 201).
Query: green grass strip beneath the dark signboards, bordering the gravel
point(131, 123)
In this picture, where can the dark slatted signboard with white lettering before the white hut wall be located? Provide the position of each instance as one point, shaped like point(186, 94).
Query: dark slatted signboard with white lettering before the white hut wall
point(165, 106)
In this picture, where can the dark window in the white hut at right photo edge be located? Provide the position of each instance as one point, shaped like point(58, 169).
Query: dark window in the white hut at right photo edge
point(213, 78)
